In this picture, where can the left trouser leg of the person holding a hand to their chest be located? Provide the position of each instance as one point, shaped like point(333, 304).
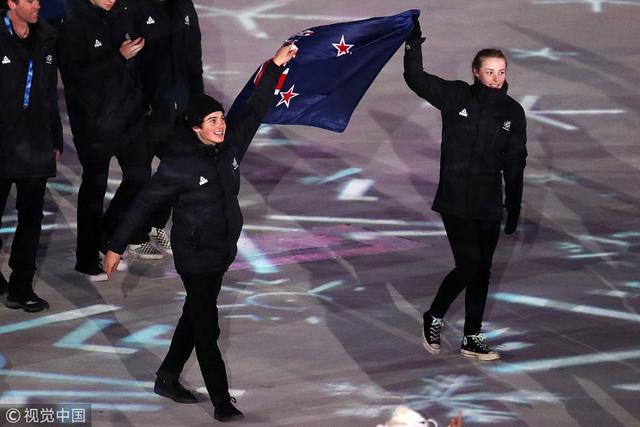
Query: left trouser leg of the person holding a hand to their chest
point(95, 173)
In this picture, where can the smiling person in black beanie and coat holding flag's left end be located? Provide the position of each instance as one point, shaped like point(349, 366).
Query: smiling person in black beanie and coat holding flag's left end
point(200, 178)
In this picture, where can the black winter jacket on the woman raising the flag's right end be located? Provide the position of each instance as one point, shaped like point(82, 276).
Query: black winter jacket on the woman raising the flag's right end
point(483, 141)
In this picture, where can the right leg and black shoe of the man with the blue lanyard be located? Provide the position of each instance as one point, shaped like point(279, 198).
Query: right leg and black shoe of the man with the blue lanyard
point(29, 203)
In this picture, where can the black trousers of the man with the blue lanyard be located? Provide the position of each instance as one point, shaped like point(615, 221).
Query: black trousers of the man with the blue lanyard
point(29, 202)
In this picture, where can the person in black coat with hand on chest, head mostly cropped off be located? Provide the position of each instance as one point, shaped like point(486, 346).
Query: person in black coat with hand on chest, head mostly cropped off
point(103, 92)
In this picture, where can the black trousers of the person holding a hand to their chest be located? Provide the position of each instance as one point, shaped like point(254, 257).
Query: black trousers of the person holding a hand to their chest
point(95, 226)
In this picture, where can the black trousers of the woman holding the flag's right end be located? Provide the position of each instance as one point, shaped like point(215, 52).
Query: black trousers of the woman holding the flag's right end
point(473, 243)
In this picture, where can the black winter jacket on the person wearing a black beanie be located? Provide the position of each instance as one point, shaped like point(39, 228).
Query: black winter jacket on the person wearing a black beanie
point(201, 182)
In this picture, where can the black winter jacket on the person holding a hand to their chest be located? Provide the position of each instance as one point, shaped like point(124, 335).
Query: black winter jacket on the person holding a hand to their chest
point(102, 89)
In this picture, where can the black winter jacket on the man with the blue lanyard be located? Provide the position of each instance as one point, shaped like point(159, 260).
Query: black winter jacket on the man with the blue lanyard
point(29, 135)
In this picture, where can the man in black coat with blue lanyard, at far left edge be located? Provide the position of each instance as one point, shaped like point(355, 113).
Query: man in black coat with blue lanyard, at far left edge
point(30, 137)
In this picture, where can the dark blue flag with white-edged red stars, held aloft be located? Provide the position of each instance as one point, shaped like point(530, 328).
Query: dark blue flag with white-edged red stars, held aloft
point(336, 65)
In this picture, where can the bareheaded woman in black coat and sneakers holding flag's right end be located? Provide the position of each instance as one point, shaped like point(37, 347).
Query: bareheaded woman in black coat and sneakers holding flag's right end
point(483, 143)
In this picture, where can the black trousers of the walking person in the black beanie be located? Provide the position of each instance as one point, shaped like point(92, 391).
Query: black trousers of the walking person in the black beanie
point(198, 327)
